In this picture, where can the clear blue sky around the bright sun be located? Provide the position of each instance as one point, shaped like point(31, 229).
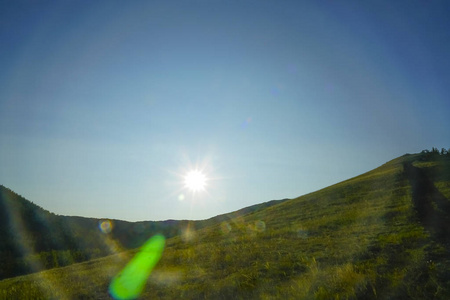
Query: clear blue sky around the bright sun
point(106, 105)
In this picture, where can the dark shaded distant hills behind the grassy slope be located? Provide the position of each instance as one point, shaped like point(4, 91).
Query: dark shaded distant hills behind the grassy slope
point(33, 239)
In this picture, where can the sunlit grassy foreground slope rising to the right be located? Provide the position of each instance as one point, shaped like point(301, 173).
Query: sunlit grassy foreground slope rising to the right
point(381, 235)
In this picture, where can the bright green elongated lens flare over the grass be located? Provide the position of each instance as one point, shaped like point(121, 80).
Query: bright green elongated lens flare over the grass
point(130, 282)
